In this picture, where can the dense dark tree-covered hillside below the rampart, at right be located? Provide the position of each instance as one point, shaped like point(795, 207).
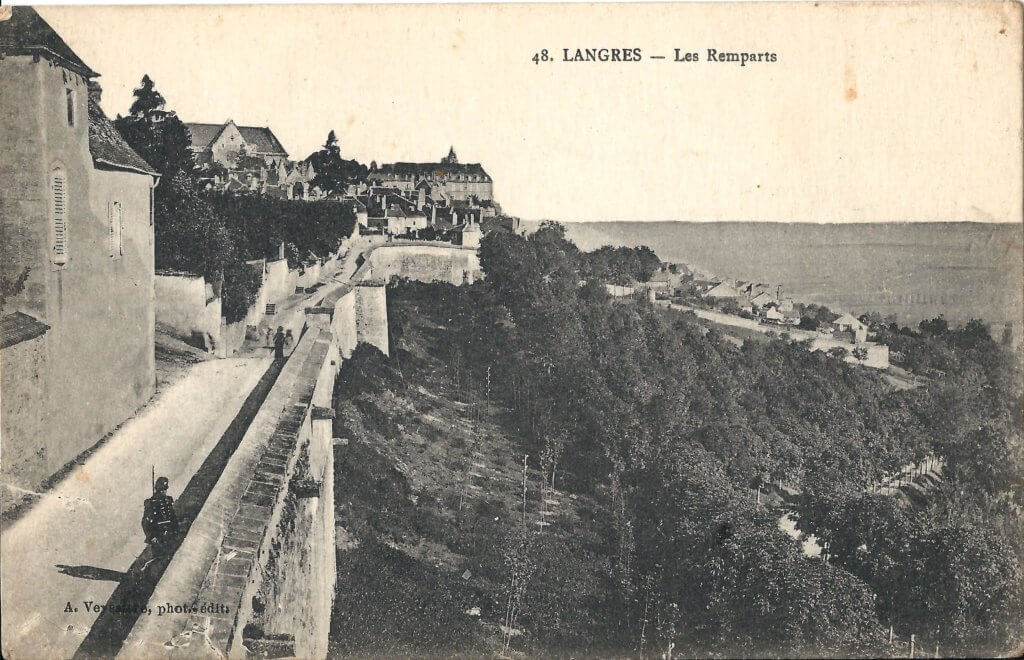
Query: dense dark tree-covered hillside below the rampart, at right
point(676, 430)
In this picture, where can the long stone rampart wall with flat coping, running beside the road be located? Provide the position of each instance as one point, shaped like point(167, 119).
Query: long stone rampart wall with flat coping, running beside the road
point(264, 544)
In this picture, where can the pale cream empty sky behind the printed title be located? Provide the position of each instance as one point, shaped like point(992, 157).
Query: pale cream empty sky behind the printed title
point(871, 113)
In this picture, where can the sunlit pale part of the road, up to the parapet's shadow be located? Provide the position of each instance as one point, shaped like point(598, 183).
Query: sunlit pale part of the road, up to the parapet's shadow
point(76, 544)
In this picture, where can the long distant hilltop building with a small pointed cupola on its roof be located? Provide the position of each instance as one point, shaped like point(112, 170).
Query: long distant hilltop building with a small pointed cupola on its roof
point(447, 180)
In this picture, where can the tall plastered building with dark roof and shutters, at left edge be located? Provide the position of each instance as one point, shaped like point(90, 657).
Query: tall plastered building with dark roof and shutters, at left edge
point(76, 210)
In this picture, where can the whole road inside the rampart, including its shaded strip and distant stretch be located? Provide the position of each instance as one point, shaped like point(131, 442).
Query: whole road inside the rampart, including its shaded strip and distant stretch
point(63, 560)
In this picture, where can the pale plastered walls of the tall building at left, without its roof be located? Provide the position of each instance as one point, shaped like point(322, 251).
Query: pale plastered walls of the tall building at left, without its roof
point(96, 365)
